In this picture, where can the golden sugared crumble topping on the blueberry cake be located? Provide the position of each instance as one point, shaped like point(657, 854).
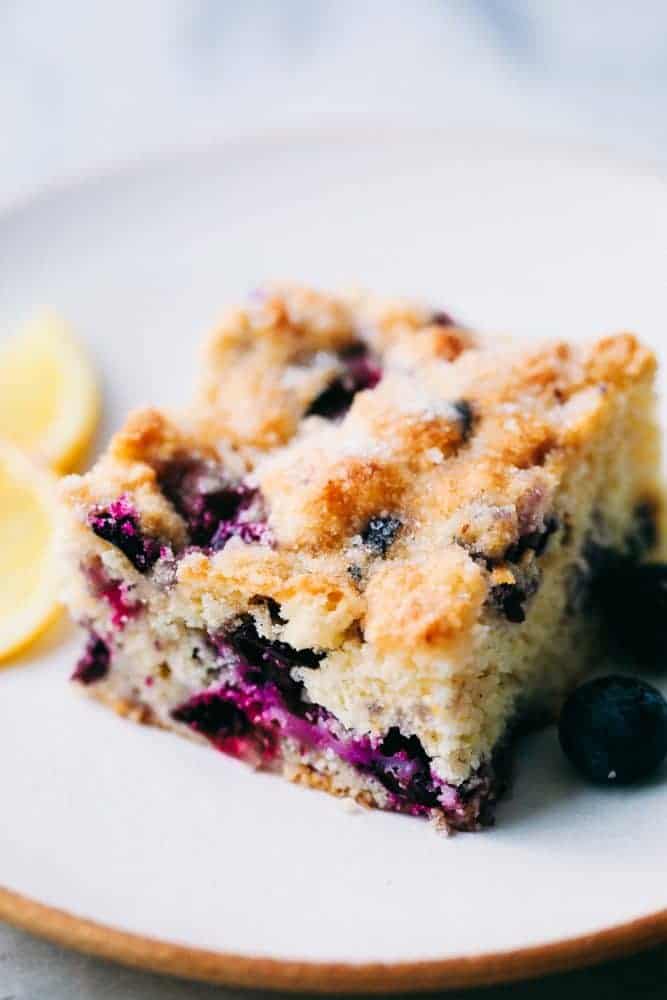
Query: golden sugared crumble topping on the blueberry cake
point(462, 460)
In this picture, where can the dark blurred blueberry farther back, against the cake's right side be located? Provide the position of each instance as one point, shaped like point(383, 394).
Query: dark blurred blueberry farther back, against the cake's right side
point(634, 603)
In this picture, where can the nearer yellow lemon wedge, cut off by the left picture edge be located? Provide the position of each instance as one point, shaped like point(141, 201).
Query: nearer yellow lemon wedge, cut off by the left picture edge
point(29, 579)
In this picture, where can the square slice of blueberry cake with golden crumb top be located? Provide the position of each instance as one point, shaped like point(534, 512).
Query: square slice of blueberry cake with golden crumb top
point(368, 552)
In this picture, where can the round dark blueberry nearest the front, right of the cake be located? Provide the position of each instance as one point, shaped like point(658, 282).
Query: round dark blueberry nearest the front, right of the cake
point(614, 729)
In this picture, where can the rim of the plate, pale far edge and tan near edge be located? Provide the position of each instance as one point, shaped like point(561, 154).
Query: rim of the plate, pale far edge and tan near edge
point(296, 975)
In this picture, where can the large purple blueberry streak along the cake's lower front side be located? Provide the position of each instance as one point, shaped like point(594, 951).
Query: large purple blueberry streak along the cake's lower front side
point(262, 703)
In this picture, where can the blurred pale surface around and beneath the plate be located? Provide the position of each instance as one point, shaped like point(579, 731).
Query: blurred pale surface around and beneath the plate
point(85, 84)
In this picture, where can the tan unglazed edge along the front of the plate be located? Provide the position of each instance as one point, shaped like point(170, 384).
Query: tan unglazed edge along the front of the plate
point(325, 977)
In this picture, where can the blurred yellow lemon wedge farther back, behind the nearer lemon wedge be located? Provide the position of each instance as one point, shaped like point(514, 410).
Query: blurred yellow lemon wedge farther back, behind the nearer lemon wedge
point(49, 403)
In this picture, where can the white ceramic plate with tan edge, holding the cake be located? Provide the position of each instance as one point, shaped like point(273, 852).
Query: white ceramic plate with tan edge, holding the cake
point(188, 860)
